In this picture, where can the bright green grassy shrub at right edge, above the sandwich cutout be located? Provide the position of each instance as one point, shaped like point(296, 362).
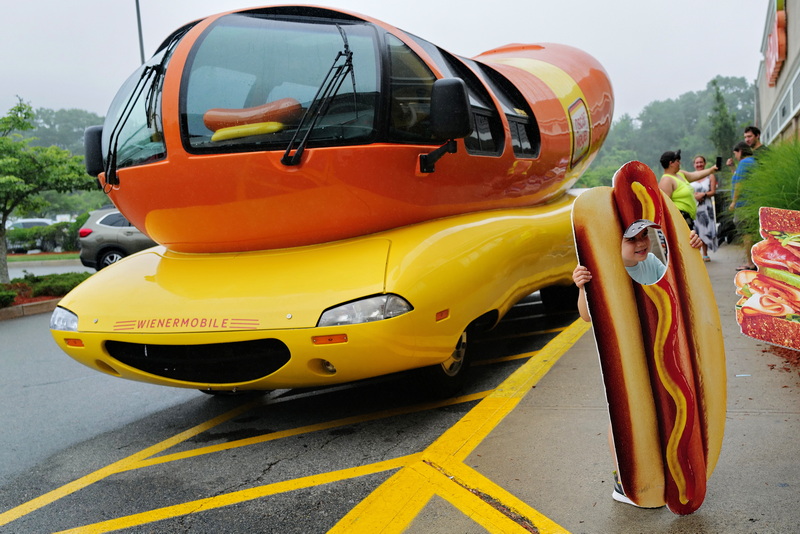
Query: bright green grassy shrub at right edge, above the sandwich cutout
point(773, 182)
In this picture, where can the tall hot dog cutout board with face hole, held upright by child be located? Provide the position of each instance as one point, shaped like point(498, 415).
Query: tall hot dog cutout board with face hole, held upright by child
point(660, 346)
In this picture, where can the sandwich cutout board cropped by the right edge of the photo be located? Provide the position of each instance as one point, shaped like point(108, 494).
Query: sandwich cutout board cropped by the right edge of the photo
point(769, 308)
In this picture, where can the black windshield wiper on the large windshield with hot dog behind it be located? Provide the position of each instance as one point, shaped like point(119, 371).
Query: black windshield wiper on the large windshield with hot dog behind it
point(327, 90)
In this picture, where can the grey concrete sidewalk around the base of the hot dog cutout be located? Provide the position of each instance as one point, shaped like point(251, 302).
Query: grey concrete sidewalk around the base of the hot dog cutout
point(552, 453)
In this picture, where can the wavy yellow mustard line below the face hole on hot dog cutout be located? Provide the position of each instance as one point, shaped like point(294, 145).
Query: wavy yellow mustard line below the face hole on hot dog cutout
point(664, 307)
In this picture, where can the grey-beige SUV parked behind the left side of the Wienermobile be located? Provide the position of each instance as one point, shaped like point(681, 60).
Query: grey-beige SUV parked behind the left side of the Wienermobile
point(107, 237)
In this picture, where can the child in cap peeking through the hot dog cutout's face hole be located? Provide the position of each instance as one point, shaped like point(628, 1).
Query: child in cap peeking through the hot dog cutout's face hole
point(645, 268)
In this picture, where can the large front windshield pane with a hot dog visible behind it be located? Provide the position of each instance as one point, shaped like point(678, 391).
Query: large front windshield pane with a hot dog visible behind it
point(250, 80)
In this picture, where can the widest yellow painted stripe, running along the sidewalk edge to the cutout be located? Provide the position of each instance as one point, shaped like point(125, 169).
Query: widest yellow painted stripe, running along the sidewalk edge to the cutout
point(373, 514)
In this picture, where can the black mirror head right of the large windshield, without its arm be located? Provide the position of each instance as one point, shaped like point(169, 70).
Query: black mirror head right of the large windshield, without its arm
point(451, 117)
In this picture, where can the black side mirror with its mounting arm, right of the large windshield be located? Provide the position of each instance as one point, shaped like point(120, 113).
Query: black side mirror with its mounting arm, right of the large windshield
point(451, 118)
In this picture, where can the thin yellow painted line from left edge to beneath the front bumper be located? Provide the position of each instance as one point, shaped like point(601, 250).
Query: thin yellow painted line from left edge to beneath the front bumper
point(120, 465)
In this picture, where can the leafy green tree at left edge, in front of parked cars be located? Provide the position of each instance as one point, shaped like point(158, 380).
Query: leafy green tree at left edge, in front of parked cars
point(27, 171)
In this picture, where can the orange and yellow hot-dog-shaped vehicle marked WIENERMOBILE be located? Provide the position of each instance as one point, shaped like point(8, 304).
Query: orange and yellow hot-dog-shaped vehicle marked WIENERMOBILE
point(335, 199)
